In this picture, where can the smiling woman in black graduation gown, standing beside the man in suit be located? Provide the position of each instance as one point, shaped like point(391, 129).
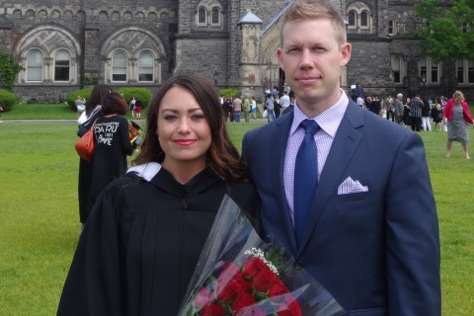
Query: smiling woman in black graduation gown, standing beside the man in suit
point(144, 236)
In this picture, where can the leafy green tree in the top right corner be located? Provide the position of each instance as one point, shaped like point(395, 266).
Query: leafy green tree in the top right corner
point(447, 33)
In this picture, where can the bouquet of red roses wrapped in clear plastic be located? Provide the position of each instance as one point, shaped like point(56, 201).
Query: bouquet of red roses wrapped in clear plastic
point(240, 274)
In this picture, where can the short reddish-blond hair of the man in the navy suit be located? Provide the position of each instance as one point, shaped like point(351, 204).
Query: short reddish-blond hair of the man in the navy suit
point(302, 10)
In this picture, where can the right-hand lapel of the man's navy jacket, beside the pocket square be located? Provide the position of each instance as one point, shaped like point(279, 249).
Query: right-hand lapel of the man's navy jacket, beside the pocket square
point(345, 143)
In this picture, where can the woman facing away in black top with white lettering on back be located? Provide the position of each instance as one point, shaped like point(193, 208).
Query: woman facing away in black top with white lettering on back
point(112, 145)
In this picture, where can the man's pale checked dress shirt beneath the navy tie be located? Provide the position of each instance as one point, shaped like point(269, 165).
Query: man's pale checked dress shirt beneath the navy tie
point(328, 122)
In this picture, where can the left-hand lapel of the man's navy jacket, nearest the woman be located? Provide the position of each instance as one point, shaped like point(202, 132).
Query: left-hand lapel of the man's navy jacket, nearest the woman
point(282, 128)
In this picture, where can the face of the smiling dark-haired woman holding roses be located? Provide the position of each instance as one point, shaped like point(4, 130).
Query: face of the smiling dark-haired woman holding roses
point(183, 131)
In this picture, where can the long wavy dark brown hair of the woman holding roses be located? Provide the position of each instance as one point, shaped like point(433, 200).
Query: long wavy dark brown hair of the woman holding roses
point(222, 157)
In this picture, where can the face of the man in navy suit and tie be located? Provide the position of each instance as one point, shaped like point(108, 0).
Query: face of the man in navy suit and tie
point(311, 58)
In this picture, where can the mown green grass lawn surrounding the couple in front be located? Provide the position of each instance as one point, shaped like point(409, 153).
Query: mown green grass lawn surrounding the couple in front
point(39, 222)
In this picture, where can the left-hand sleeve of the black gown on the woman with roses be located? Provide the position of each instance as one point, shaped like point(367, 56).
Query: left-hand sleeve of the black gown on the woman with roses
point(93, 285)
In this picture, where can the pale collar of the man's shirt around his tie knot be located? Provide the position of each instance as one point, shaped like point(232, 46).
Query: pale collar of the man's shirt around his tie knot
point(328, 121)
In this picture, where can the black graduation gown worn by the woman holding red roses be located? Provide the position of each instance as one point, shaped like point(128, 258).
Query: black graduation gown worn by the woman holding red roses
point(141, 243)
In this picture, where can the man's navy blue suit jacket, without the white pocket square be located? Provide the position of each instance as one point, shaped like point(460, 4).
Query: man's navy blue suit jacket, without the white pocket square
point(377, 252)
